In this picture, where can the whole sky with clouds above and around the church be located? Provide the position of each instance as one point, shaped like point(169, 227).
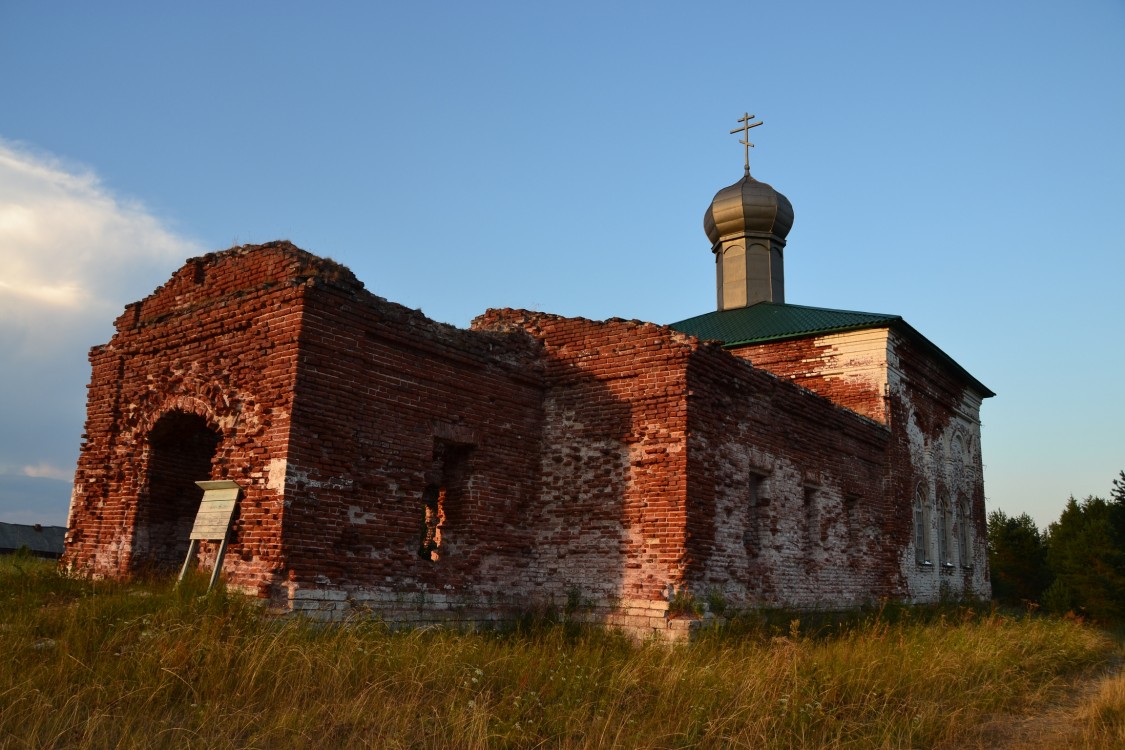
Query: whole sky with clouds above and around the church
point(960, 165)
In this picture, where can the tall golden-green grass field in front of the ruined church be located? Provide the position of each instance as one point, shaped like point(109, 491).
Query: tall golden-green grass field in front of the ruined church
point(104, 665)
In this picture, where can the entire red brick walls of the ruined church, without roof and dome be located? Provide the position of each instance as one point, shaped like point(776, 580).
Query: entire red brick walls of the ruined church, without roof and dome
point(421, 473)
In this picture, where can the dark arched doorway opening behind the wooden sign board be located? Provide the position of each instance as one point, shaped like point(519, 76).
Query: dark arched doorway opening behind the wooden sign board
point(182, 453)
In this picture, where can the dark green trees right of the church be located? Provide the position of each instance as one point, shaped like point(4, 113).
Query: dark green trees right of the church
point(1077, 565)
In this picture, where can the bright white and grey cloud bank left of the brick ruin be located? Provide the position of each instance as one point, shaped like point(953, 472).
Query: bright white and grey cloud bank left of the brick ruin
point(73, 255)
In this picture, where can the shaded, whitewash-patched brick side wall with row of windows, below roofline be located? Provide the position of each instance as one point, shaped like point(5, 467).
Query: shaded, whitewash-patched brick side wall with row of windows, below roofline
point(787, 499)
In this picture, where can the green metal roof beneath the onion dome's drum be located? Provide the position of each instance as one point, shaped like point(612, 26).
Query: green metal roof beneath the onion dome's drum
point(776, 322)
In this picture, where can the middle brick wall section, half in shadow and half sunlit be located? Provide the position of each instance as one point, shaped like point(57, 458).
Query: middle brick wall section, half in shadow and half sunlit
point(609, 525)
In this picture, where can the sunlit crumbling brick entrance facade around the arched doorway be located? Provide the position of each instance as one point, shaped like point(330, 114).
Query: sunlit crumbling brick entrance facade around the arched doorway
point(218, 341)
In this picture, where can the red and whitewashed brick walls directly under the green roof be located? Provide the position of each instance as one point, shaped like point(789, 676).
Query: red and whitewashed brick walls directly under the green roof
point(892, 379)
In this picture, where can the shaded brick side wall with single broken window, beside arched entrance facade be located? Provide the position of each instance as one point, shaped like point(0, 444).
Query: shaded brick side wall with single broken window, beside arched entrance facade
point(380, 390)
